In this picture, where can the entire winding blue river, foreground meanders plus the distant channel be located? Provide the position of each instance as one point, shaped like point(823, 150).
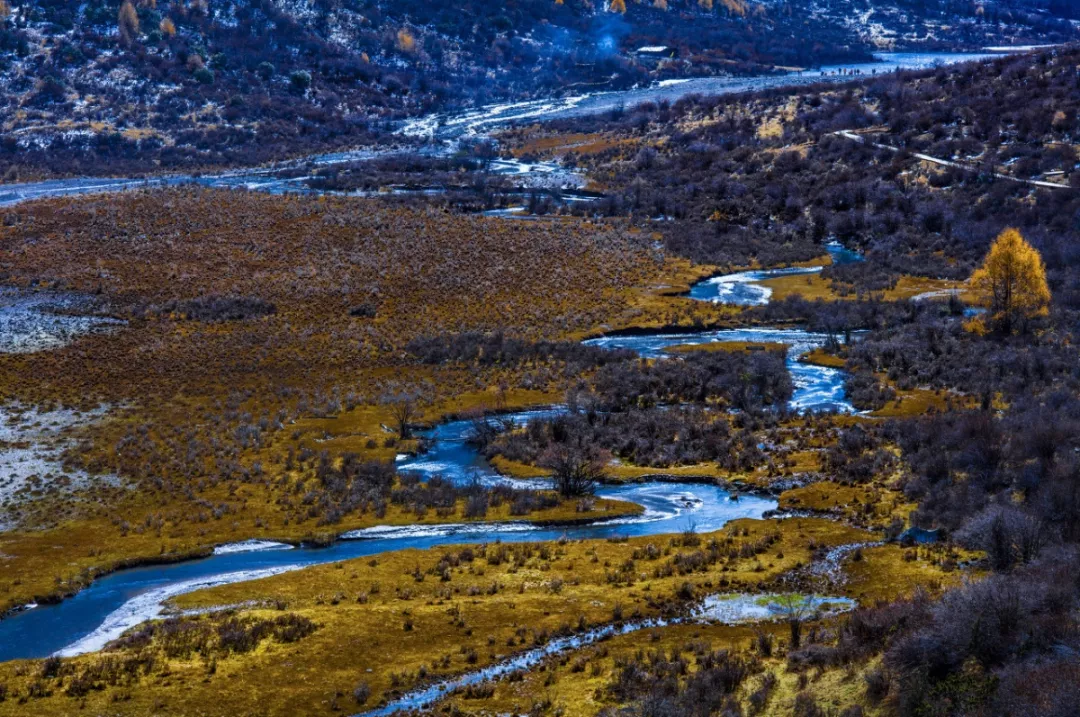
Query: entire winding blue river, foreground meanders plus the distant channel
point(123, 600)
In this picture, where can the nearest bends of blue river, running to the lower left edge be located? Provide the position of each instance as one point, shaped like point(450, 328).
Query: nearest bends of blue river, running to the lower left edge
point(115, 603)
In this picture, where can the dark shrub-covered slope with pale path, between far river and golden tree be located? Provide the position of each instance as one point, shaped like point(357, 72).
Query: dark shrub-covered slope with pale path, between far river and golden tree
point(744, 195)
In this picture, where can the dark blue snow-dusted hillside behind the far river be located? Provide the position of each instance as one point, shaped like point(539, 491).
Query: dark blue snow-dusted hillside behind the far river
point(196, 84)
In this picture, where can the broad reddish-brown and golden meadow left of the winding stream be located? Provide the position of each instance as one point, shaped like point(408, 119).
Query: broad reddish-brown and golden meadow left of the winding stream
point(309, 375)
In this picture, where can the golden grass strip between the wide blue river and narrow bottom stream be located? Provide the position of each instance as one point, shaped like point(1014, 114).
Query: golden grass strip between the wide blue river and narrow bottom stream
point(393, 620)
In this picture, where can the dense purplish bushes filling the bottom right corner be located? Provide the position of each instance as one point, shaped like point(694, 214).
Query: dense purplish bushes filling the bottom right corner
point(1001, 646)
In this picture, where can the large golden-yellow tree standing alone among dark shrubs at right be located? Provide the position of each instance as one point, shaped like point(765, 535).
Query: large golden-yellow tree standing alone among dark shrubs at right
point(1012, 282)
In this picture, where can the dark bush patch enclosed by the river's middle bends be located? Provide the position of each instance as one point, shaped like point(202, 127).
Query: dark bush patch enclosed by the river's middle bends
point(656, 414)
